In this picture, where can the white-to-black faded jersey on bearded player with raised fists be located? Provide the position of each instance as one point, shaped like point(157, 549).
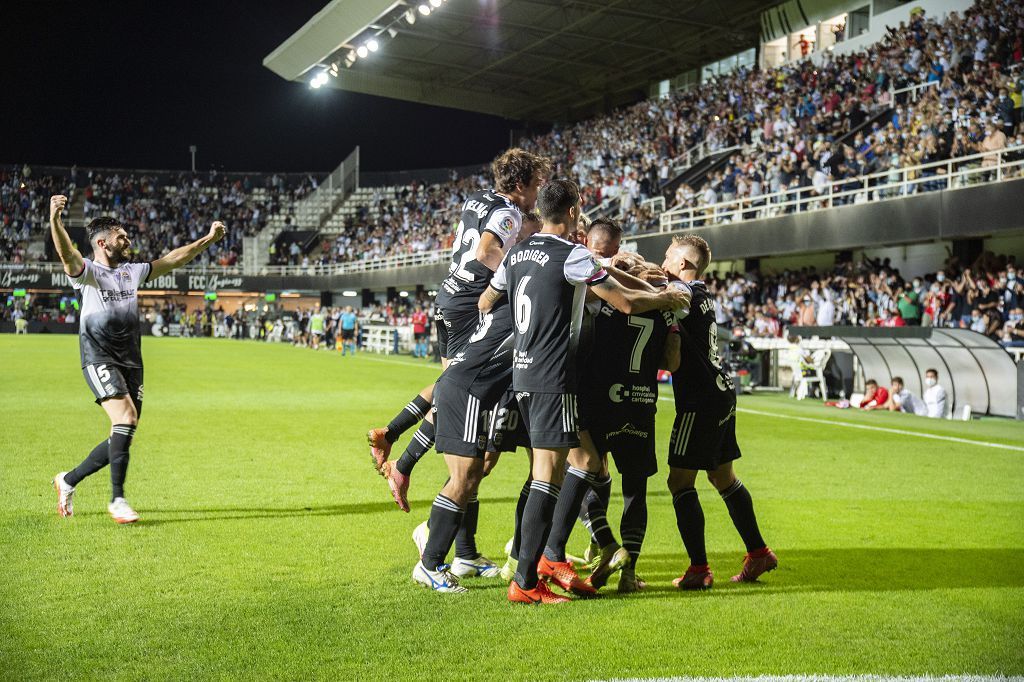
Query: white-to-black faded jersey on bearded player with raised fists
point(109, 328)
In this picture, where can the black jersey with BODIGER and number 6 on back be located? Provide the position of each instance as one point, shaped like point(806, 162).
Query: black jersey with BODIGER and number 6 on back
point(546, 279)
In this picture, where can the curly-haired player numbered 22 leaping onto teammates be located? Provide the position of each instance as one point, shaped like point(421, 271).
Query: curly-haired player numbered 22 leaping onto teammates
point(491, 224)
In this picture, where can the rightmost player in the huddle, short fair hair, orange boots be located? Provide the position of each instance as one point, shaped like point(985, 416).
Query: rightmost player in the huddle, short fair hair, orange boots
point(704, 436)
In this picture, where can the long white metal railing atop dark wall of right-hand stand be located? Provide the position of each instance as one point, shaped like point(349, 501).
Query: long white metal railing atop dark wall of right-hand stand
point(892, 184)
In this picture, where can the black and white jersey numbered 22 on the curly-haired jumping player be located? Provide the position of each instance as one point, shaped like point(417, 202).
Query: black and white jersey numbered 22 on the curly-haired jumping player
point(485, 211)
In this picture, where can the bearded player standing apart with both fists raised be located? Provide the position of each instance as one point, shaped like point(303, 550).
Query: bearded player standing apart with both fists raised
point(110, 340)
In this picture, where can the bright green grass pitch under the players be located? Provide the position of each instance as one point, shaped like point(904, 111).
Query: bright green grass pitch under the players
point(269, 547)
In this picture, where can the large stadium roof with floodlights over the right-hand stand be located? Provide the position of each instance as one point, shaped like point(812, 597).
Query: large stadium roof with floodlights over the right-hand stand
point(523, 60)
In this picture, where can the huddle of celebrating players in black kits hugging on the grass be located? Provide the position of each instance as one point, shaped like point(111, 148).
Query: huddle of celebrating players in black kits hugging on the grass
point(551, 340)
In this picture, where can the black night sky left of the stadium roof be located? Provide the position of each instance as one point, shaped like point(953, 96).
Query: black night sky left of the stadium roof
point(133, 84)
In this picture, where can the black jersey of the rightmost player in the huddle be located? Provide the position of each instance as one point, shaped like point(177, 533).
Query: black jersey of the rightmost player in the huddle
point(702, 383)
